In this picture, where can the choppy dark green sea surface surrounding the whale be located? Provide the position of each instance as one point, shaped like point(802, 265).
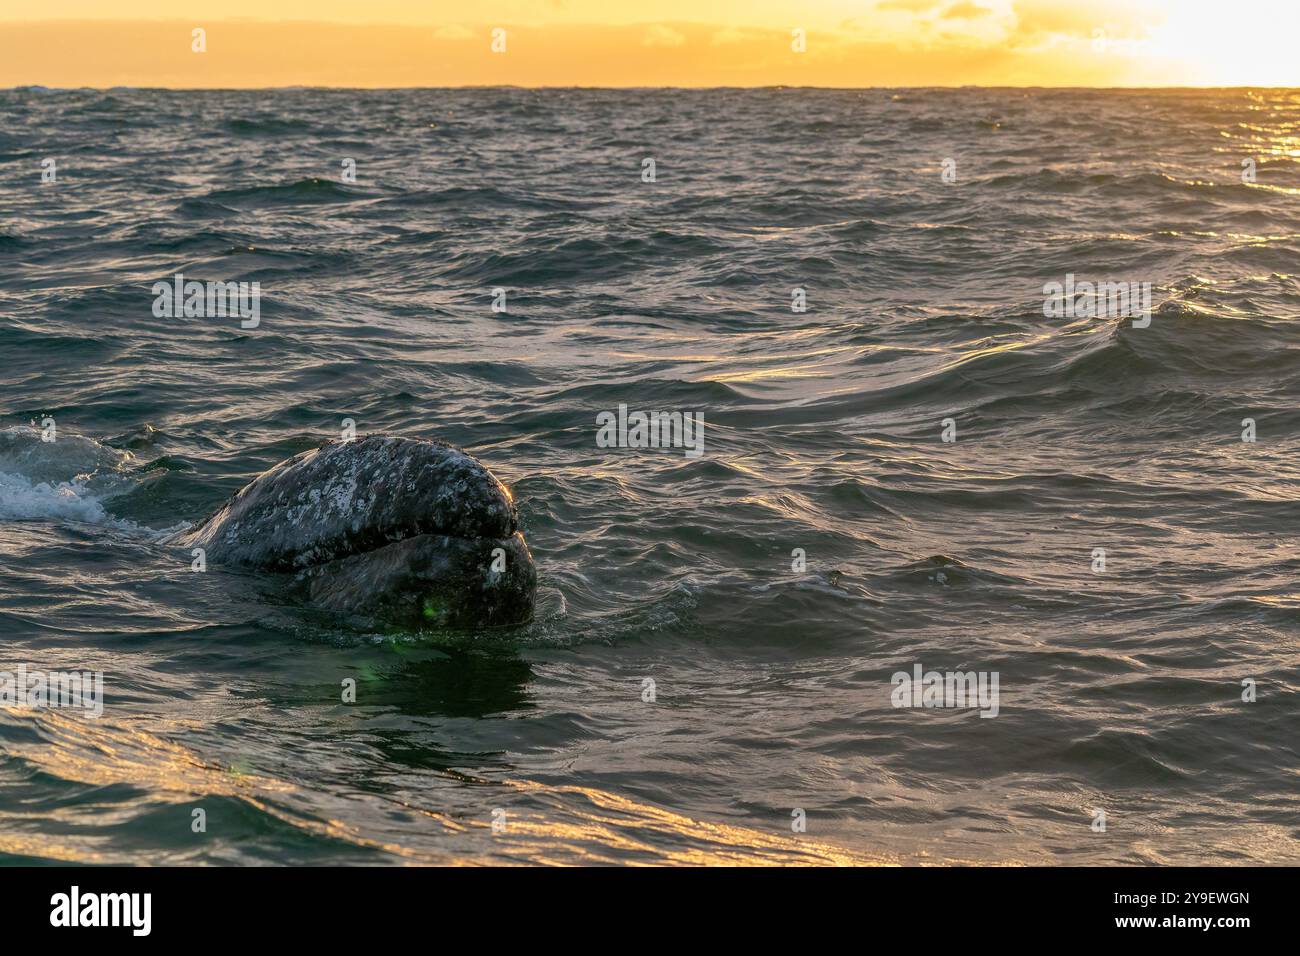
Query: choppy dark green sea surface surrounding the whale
point(1120, 690)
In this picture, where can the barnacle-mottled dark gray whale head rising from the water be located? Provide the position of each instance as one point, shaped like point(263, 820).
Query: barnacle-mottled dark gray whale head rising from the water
point(391, 530)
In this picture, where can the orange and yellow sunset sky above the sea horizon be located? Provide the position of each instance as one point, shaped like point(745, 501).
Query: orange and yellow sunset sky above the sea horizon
point(382, 44)
